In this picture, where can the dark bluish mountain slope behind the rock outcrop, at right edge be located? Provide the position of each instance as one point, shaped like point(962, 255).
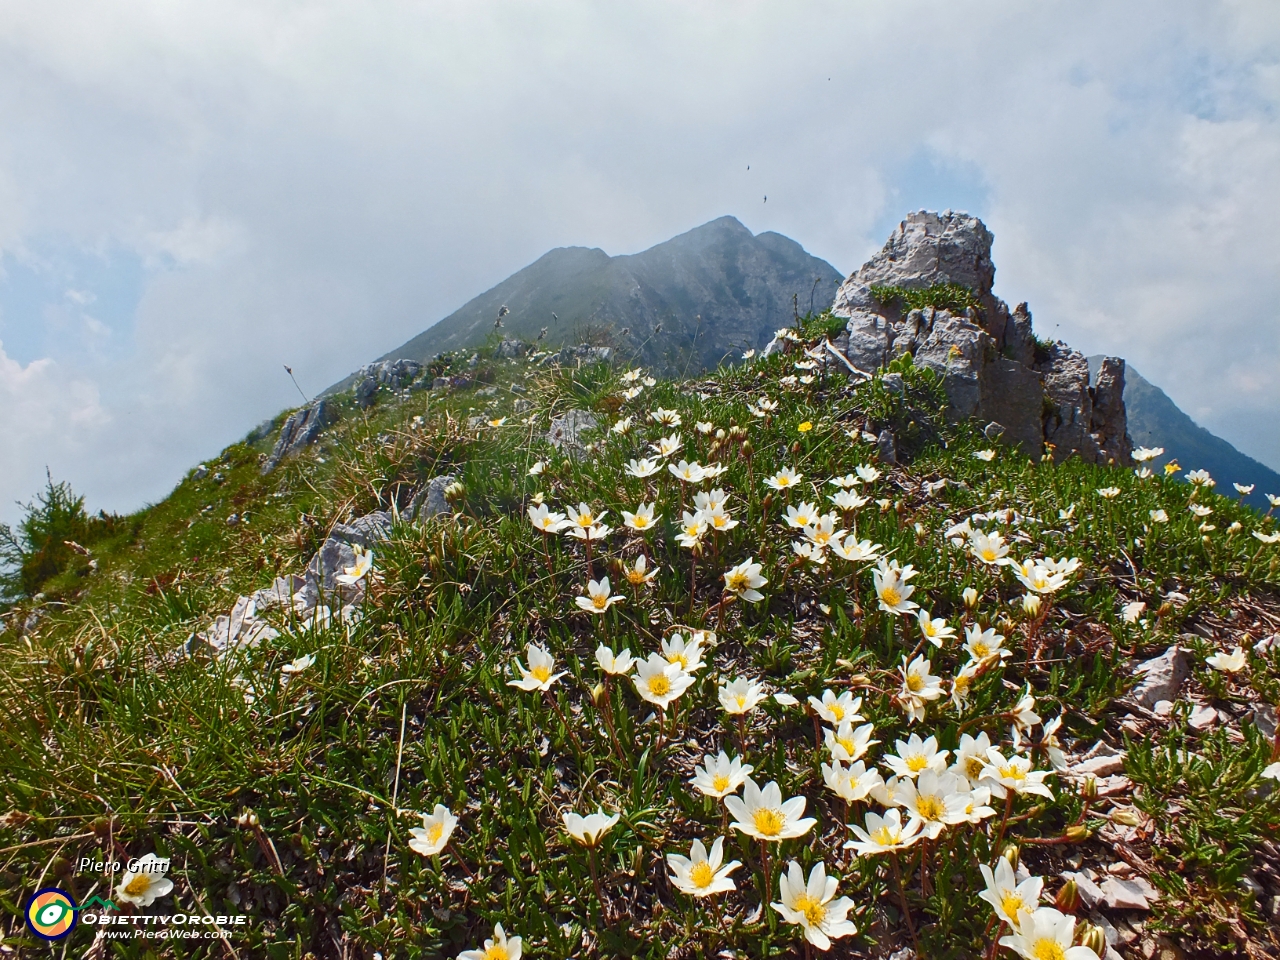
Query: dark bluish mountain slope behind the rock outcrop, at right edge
point(1156, 422)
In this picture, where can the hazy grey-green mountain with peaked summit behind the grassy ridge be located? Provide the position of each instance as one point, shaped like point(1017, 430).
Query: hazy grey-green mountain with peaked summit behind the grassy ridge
point(712, 291)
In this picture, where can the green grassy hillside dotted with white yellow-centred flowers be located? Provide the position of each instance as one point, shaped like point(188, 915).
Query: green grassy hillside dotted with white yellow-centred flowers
point(282, 781)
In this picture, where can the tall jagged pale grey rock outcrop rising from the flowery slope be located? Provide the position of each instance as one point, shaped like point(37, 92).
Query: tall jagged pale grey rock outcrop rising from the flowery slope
point(991, 364)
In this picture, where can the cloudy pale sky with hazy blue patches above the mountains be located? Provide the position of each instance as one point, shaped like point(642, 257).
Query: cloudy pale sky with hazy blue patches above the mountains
point(195, 195)
